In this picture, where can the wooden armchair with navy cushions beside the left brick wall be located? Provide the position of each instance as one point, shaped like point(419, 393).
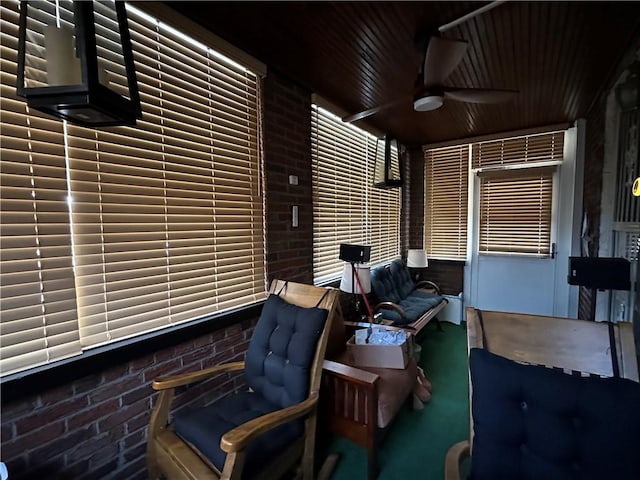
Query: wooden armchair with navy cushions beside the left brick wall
point(262, 432)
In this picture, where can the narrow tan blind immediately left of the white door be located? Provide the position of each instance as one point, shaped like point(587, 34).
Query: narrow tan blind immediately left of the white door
point(446, 184)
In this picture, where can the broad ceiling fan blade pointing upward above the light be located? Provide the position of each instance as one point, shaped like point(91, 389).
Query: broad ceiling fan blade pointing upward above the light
point(442, 57)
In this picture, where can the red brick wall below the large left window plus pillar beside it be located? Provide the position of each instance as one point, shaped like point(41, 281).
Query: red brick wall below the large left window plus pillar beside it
point(96, 426)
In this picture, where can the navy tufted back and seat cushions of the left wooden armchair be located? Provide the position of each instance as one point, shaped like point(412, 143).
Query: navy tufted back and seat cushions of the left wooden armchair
point(277, 370)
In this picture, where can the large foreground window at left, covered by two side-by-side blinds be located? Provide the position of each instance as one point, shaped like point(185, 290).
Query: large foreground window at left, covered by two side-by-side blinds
point(107, 234)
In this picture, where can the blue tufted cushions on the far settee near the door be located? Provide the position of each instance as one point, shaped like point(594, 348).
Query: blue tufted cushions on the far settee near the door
point(394, 285)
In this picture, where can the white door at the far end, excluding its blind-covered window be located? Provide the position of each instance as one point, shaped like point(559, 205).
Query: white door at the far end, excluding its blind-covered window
point(523, 284)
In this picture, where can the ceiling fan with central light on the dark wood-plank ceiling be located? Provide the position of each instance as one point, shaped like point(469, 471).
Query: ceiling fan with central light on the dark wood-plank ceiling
point(441, 58)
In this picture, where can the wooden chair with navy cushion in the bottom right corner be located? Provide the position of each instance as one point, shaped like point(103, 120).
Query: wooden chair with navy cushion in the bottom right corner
point(527, 417)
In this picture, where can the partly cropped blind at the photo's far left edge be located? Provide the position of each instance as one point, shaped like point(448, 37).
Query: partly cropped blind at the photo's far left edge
point(37, 295)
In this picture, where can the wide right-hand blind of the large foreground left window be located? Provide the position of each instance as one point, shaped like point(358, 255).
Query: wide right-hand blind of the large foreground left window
point(168, 215)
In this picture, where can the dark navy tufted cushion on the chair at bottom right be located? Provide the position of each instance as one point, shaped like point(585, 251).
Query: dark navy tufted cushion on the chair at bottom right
point(533, 422)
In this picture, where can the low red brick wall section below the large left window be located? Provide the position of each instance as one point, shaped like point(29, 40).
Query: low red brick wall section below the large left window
point(95, 427)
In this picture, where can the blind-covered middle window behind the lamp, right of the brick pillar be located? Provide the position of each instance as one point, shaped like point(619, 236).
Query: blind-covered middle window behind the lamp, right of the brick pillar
point(347, 208)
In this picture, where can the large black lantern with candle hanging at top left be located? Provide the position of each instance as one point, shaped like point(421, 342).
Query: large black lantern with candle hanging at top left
point(75, 62)
